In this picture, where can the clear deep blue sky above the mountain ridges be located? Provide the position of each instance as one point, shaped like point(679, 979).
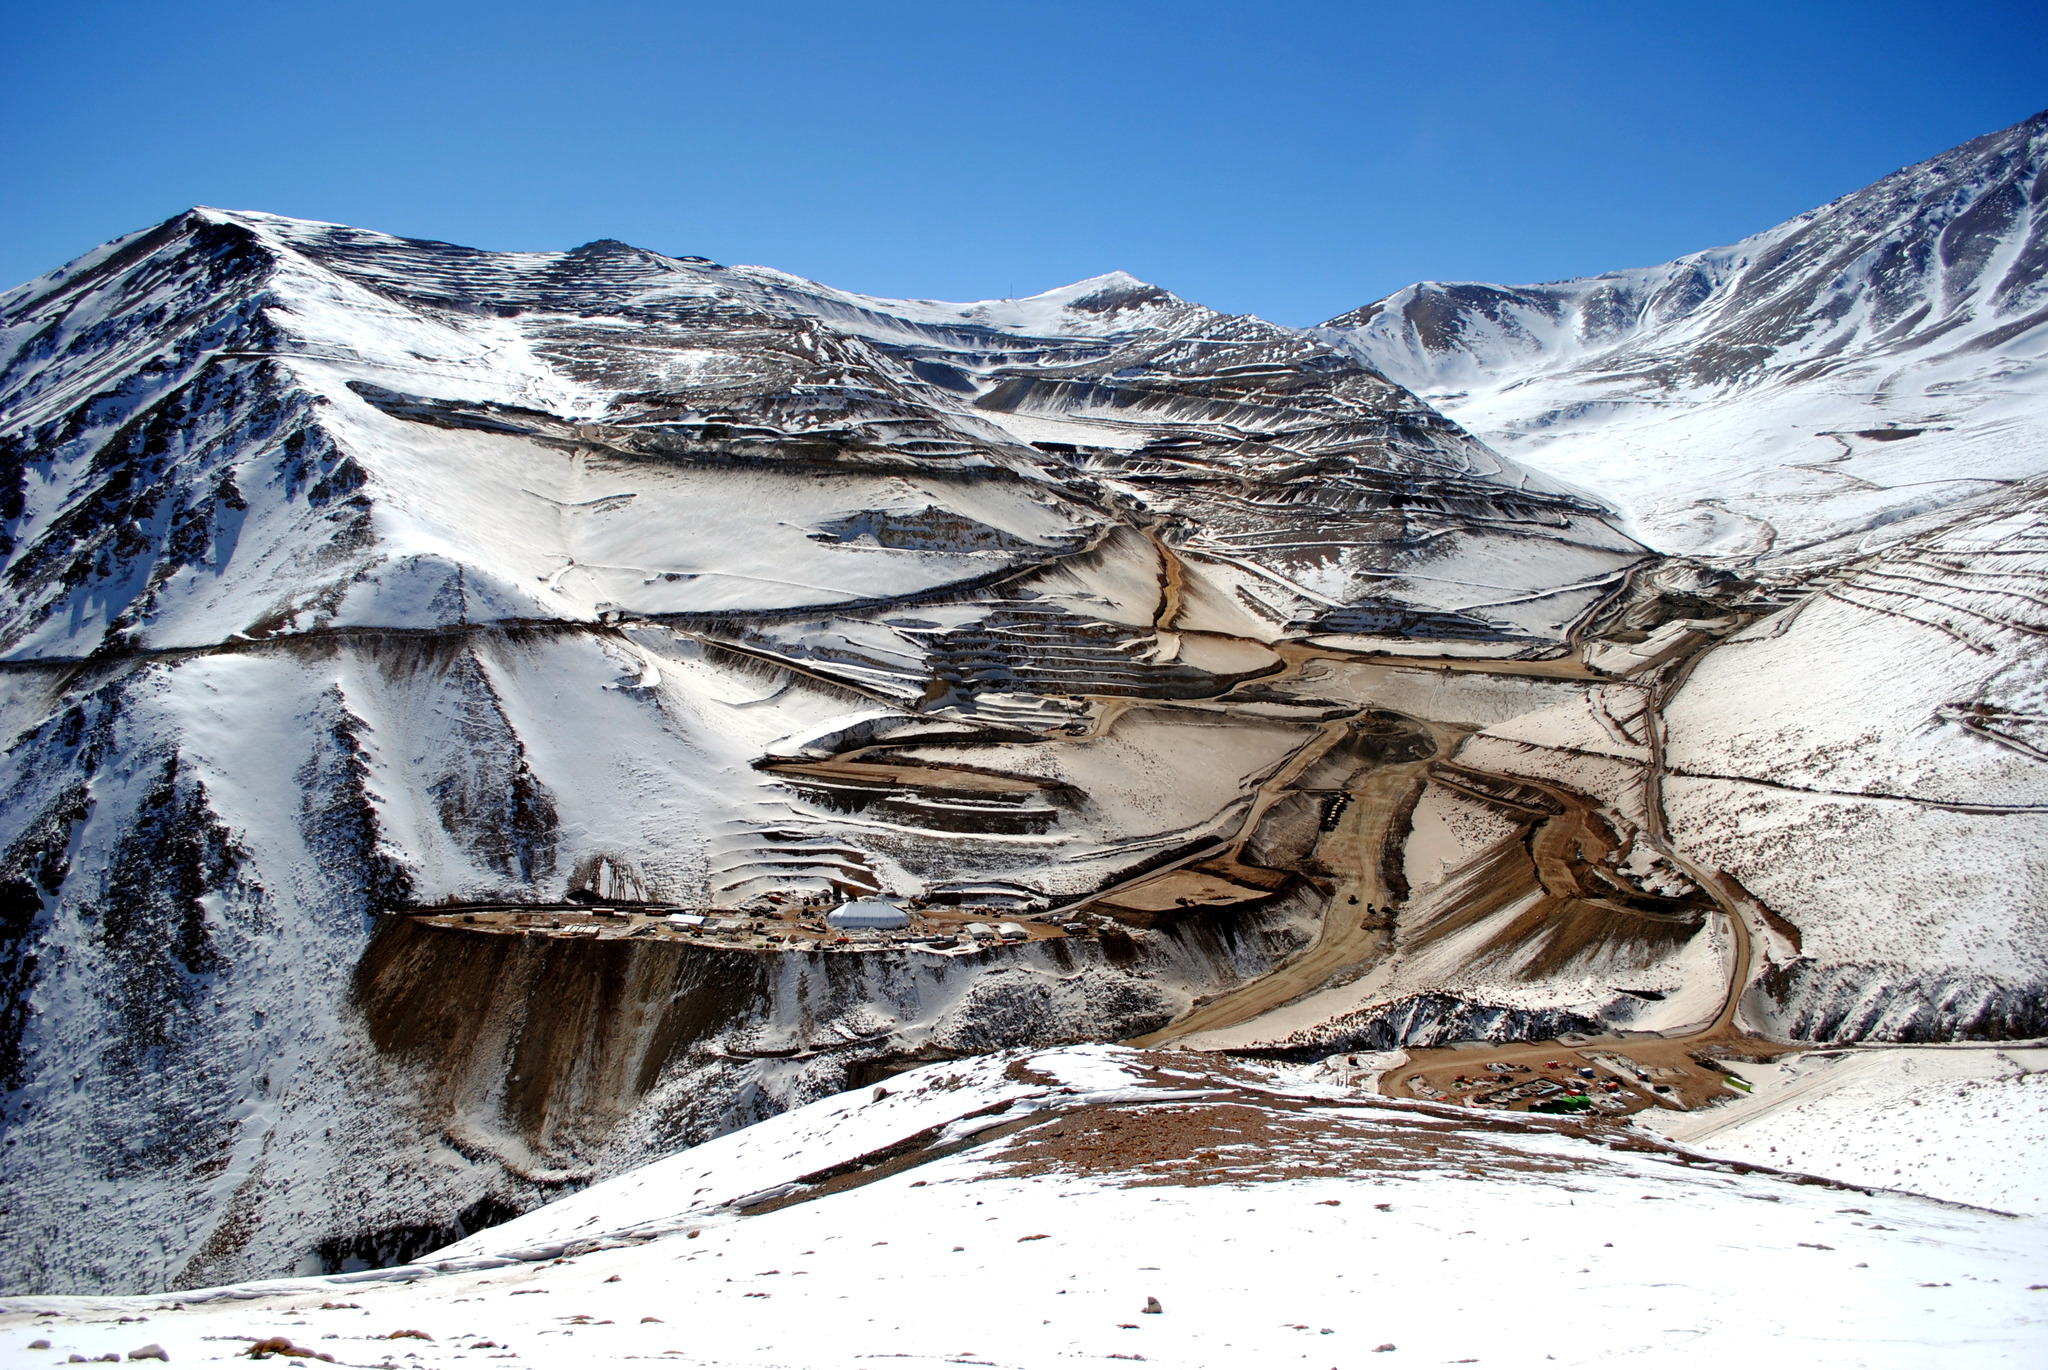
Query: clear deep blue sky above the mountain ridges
point(1289, 161)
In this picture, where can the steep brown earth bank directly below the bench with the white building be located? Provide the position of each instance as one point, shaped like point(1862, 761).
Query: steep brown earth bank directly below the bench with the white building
point(552, 1064)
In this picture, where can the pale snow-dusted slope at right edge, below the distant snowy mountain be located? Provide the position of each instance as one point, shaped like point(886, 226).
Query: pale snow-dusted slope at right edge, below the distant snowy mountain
point(1871, 767)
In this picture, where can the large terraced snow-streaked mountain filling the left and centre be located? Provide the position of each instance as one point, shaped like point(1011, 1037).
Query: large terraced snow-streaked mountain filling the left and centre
point(351, 574)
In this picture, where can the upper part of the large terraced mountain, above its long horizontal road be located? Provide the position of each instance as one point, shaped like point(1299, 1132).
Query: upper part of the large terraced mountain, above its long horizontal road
point(411, 435)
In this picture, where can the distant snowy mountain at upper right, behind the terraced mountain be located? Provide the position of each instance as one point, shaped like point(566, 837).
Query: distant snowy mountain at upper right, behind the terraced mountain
point(1785, 396)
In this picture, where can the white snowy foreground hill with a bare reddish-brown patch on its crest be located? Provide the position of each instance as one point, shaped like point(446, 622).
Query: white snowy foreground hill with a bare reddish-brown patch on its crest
point(1275, 1224)
